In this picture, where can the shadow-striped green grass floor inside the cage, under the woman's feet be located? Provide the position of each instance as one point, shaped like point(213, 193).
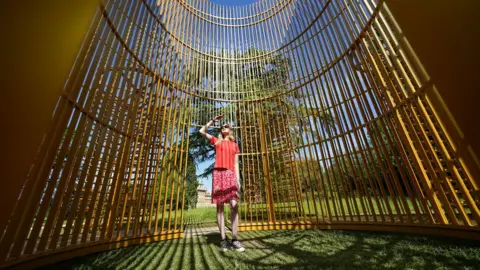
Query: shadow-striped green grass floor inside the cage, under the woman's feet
point(299, 249)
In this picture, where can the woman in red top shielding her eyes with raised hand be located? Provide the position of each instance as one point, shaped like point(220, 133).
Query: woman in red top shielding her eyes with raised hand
point(225, 181)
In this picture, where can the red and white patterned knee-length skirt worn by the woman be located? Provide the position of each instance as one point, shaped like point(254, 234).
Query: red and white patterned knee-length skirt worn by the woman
point(224, 186)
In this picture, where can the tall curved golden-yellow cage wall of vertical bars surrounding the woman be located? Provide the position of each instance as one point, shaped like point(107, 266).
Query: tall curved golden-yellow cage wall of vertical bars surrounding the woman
point(328, 104)
